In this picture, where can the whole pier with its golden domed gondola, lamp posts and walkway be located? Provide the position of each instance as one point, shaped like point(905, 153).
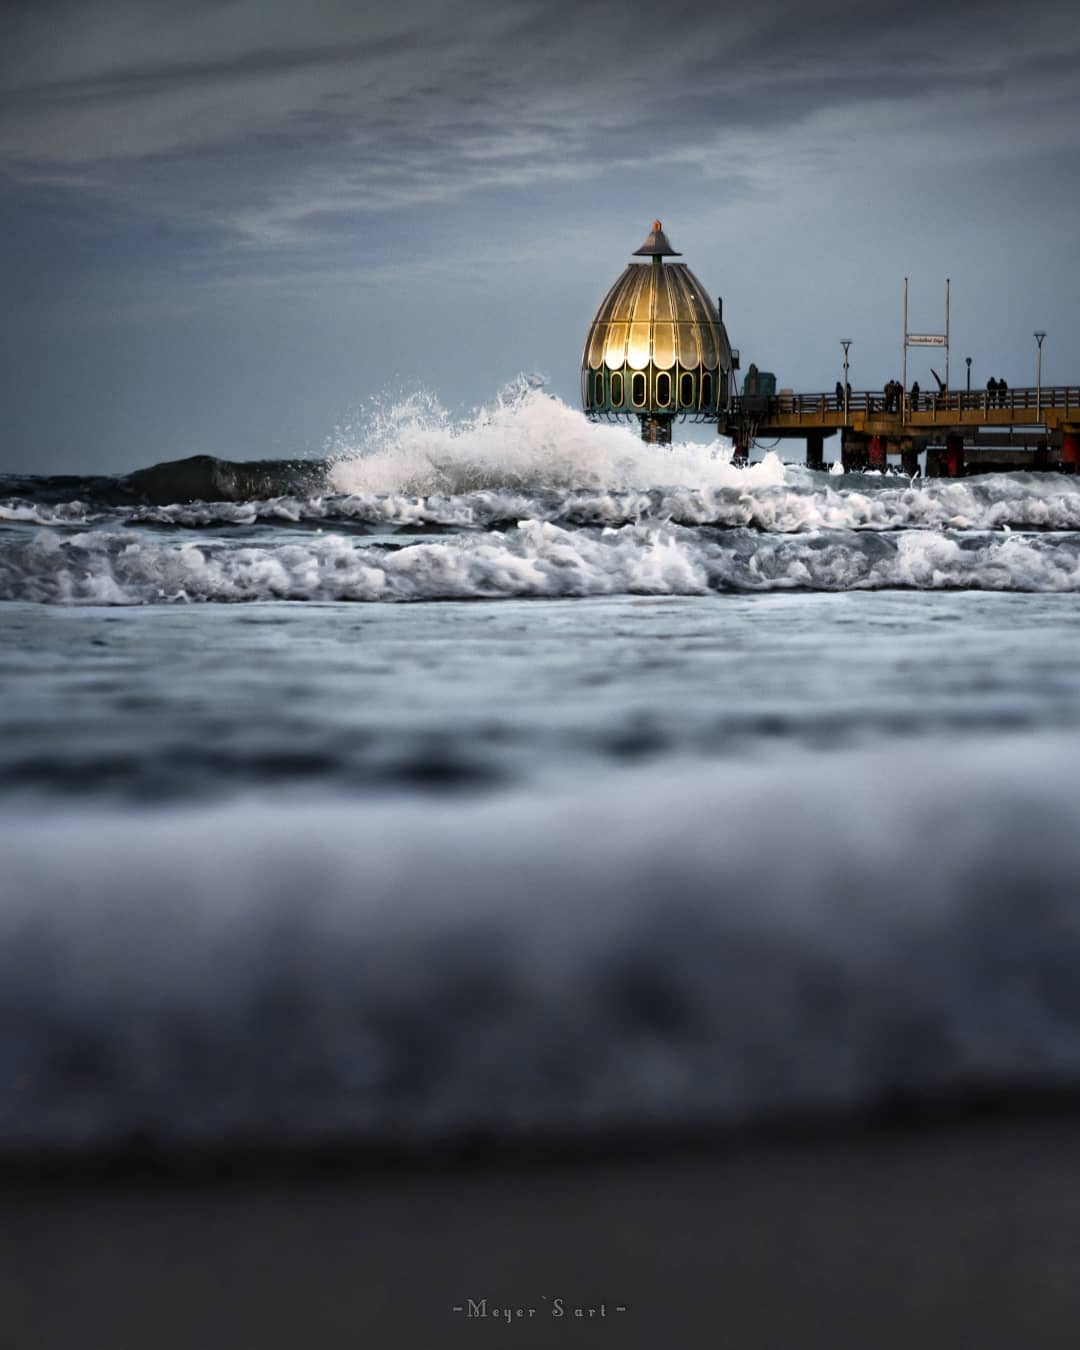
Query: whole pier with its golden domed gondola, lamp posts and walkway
point(658, 352)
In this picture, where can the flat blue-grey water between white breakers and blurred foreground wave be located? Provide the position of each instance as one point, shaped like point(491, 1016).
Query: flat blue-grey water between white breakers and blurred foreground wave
point(202, 701)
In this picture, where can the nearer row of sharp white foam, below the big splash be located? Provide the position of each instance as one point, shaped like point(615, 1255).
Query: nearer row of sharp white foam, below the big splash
point(533, 560)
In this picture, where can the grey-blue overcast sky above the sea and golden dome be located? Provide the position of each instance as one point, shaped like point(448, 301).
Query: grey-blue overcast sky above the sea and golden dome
point(237, 227)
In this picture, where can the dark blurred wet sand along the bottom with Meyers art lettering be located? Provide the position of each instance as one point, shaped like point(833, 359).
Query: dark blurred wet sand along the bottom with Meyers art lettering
point(958, 1236)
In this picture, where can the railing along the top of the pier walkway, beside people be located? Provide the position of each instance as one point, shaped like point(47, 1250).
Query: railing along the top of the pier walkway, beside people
point(1062, 399)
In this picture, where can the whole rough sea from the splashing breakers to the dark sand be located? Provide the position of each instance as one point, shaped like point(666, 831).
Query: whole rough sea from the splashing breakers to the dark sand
point(503, 778)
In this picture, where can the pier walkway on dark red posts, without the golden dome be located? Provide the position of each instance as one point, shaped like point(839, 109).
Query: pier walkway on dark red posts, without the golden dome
point(962, 433)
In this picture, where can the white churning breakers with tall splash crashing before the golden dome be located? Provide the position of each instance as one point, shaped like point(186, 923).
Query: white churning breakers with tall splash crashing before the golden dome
point(524, 499)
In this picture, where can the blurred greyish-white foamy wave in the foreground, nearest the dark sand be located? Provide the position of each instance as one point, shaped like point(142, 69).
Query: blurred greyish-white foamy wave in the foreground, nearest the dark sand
point(697, 943)
